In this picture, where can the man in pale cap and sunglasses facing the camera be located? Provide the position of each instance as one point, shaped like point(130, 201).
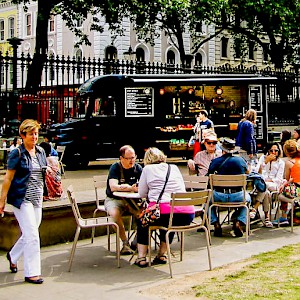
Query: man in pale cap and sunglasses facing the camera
point(203, 158)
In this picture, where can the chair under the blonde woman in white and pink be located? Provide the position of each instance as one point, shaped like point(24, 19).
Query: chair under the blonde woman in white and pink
point(196, 198)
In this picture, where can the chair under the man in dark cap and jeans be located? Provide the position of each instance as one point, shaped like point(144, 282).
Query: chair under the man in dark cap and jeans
point(227, 182)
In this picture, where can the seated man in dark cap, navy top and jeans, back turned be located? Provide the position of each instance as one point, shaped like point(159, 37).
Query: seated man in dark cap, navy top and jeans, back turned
point(228, 164)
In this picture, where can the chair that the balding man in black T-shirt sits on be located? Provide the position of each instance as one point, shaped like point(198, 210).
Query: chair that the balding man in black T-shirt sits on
point(100, 182)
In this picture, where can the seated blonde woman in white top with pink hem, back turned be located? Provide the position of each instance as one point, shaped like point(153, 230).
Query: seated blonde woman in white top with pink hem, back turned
point(151, 183)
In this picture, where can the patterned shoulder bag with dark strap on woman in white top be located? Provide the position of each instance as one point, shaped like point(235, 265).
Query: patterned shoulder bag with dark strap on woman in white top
point(152, 213)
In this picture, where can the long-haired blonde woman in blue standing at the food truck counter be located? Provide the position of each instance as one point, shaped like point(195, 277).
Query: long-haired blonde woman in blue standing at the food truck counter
point(246, 135)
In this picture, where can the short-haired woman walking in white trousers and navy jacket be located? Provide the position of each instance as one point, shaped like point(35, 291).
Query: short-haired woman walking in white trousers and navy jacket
point(23, 188)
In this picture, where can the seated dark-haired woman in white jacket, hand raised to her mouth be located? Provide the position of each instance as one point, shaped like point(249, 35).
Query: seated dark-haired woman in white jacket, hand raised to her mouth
point(271, 166)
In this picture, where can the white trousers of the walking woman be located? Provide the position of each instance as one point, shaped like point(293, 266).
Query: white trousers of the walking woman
point(28, 245)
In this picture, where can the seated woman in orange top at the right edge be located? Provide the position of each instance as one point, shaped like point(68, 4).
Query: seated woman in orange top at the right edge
point(292, 179)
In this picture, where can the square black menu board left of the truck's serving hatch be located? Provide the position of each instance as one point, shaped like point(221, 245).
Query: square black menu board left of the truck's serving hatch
point(139, 102)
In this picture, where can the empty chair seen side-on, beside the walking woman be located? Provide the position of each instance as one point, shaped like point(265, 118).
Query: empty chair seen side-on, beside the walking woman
point(89, 223)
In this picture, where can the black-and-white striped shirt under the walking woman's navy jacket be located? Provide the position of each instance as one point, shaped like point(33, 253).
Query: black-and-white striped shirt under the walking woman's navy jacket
point(34, 192)
